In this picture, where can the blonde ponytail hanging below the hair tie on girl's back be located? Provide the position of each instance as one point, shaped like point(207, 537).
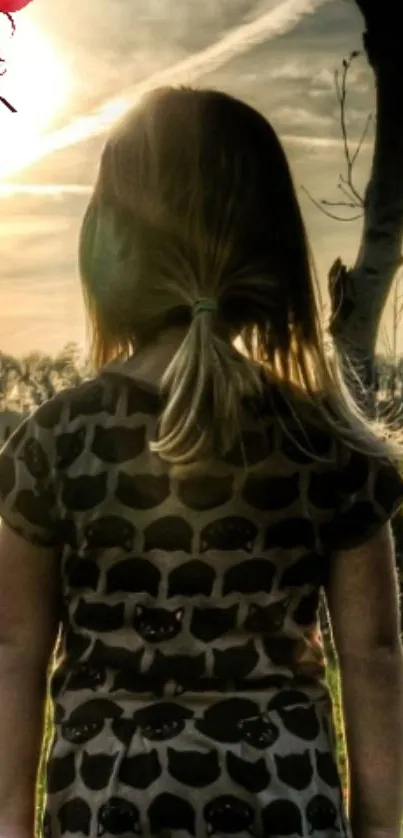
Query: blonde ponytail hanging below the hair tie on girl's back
point(204, 386)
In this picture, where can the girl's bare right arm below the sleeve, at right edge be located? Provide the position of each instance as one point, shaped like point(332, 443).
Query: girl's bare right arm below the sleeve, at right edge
point(362, 596)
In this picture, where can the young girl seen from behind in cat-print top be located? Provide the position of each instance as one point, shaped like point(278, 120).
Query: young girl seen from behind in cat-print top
point(178, 517)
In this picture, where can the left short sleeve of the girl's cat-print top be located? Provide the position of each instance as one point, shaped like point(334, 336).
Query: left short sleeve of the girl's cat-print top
point(28, 498)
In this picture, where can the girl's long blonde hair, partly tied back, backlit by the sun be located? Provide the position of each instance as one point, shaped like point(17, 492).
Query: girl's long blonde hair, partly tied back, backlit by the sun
point(194, 198)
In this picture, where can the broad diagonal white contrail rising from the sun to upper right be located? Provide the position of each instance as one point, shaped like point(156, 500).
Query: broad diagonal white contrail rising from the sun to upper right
point(275, 22)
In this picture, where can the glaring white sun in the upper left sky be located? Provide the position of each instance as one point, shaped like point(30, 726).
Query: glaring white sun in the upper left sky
point(37, 84)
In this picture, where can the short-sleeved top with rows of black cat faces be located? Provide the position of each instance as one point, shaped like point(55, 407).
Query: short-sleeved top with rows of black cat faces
point(189, 692)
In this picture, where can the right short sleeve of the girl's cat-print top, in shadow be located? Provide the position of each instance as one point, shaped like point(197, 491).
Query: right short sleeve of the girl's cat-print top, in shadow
point(369, 492)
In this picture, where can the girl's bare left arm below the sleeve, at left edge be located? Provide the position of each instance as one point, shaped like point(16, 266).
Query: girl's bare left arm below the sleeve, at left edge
point(29, 600)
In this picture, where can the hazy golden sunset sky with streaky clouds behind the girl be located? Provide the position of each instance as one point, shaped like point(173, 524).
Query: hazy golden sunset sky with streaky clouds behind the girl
point(71, 75)
